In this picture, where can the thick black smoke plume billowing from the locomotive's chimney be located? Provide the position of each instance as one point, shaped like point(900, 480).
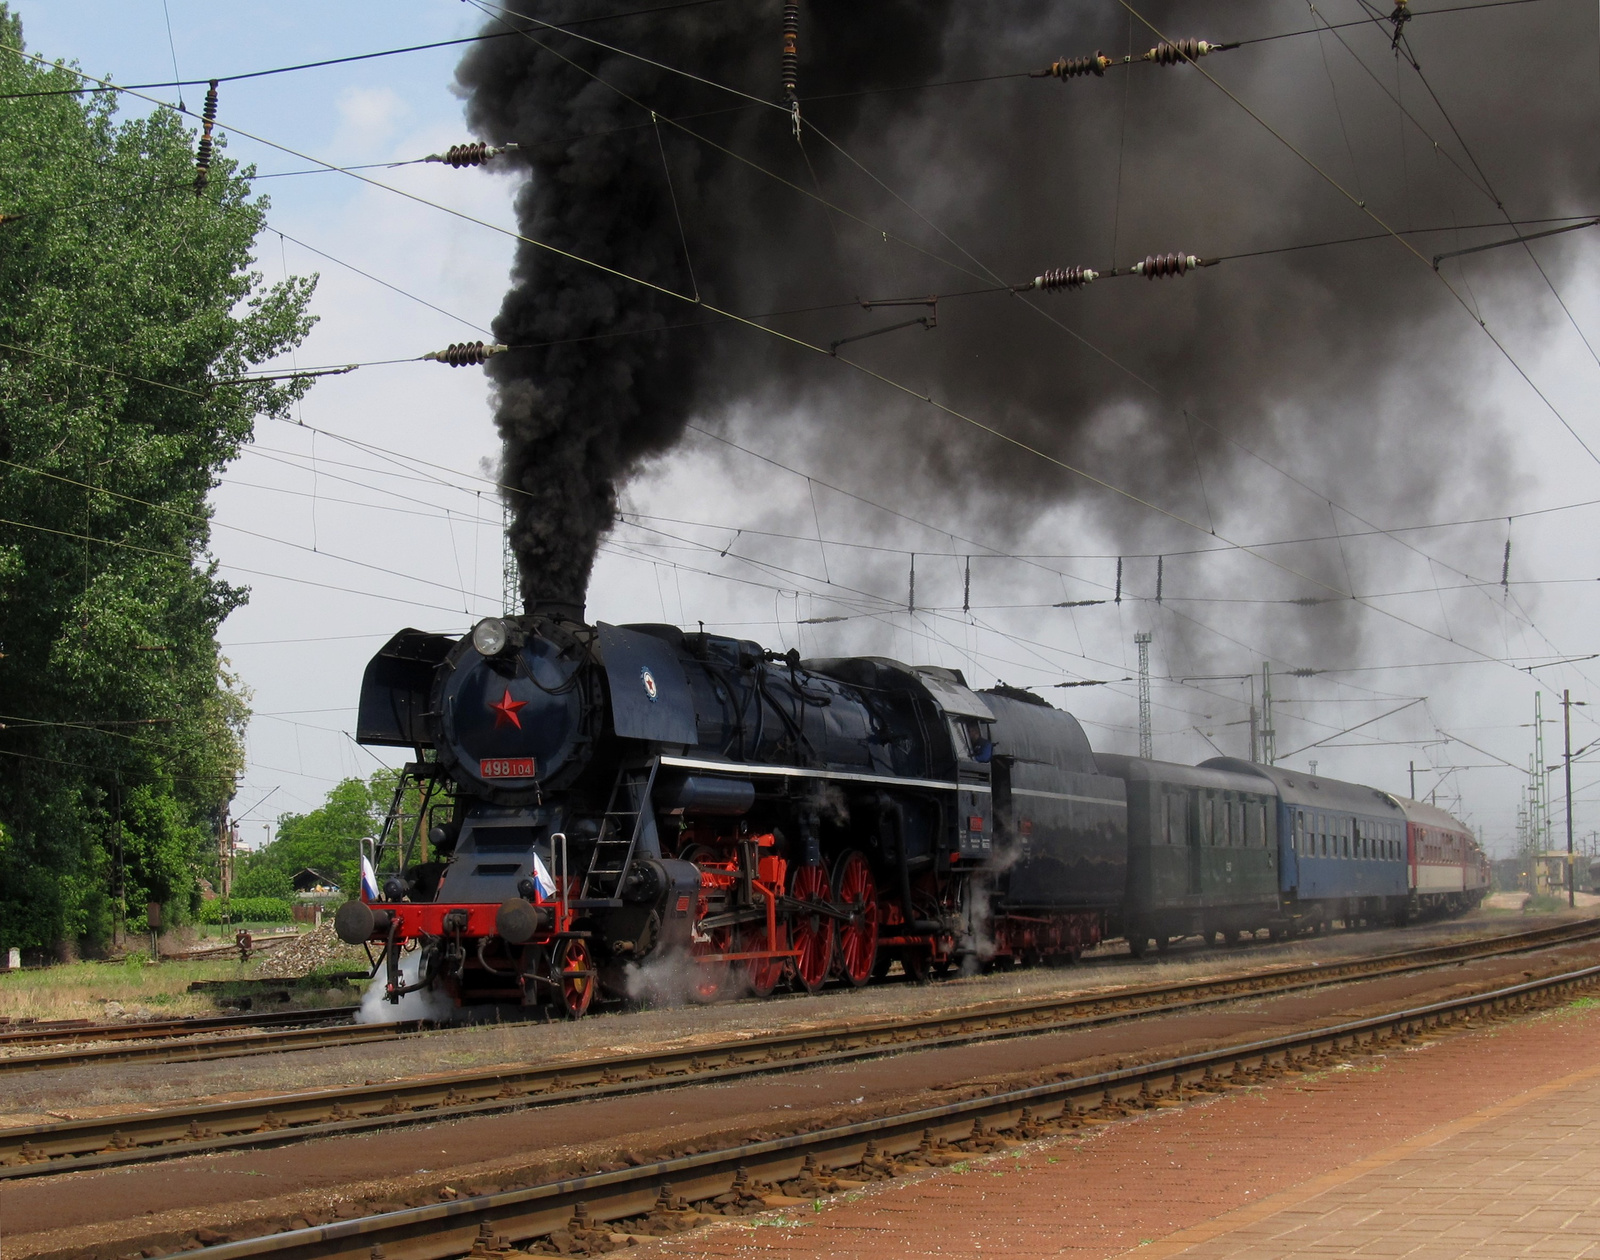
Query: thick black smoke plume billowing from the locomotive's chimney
point(1353, 362)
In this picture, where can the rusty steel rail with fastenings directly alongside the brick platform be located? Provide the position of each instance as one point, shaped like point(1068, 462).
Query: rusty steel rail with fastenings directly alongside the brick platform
point(486, 1226)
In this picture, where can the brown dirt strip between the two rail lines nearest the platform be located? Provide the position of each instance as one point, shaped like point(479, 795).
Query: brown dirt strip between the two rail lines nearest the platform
point(252, 1192)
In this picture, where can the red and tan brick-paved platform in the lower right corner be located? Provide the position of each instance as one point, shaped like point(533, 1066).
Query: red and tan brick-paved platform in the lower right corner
point(1482, 1144)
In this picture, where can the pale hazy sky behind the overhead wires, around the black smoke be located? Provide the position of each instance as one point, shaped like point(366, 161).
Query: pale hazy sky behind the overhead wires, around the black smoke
point(375, 506)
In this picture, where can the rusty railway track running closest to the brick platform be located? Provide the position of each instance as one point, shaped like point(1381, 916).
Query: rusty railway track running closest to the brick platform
point(673, 1195)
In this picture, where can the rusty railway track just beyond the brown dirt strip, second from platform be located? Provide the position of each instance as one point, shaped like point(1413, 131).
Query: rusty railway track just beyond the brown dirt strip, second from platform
point(284, 1118)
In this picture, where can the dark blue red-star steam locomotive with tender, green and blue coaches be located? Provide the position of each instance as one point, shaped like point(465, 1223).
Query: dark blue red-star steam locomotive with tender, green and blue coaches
point(623, 808)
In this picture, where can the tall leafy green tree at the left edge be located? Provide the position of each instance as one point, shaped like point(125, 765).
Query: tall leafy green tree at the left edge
point(127, 306)
